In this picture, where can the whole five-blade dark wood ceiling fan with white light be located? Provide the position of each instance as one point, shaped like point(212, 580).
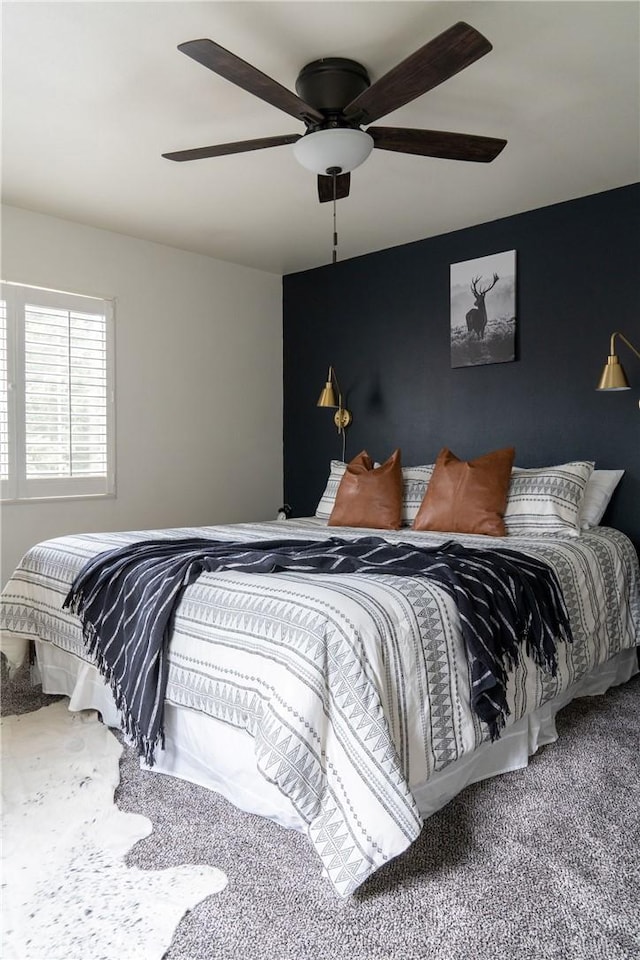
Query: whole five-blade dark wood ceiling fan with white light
point(334, 98)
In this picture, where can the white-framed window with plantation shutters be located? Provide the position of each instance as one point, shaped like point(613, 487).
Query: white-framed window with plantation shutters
point(56, 394)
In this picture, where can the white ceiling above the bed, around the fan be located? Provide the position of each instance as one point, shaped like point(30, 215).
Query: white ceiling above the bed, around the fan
point(95, 92)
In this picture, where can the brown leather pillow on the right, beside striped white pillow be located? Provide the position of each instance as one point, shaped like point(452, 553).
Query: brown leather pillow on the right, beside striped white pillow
point(467, 496)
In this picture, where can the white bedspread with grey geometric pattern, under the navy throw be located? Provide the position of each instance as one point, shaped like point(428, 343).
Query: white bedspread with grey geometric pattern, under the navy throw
point(353, 687)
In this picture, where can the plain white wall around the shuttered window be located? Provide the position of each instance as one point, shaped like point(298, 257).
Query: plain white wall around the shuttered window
point(198, 381)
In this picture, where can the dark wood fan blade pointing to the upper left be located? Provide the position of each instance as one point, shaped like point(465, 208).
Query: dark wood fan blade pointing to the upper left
point(238, 71)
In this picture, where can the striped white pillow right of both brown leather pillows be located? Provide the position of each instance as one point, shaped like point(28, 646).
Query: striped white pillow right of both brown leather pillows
point(547, 500)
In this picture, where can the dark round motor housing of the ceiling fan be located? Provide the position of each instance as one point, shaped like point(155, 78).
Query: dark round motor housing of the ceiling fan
point(330, 84)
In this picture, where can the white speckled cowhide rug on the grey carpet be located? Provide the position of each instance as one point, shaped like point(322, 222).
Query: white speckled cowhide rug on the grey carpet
point(67, 892)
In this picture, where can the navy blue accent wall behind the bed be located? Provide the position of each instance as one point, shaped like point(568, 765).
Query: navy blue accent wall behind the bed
point(382, 321)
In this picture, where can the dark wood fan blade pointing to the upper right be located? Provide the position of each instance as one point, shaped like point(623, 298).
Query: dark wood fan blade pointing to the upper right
point(441, 58)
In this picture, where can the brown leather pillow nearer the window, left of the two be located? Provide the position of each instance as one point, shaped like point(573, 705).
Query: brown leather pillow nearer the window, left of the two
point(369, 496)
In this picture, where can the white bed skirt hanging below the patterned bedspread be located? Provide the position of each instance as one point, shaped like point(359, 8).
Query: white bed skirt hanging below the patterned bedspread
point(220, 757)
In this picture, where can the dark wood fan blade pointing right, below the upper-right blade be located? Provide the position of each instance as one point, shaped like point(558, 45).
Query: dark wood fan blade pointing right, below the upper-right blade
point(437, 143)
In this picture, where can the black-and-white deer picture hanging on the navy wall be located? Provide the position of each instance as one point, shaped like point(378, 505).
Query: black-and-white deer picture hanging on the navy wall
point(483, 310)
